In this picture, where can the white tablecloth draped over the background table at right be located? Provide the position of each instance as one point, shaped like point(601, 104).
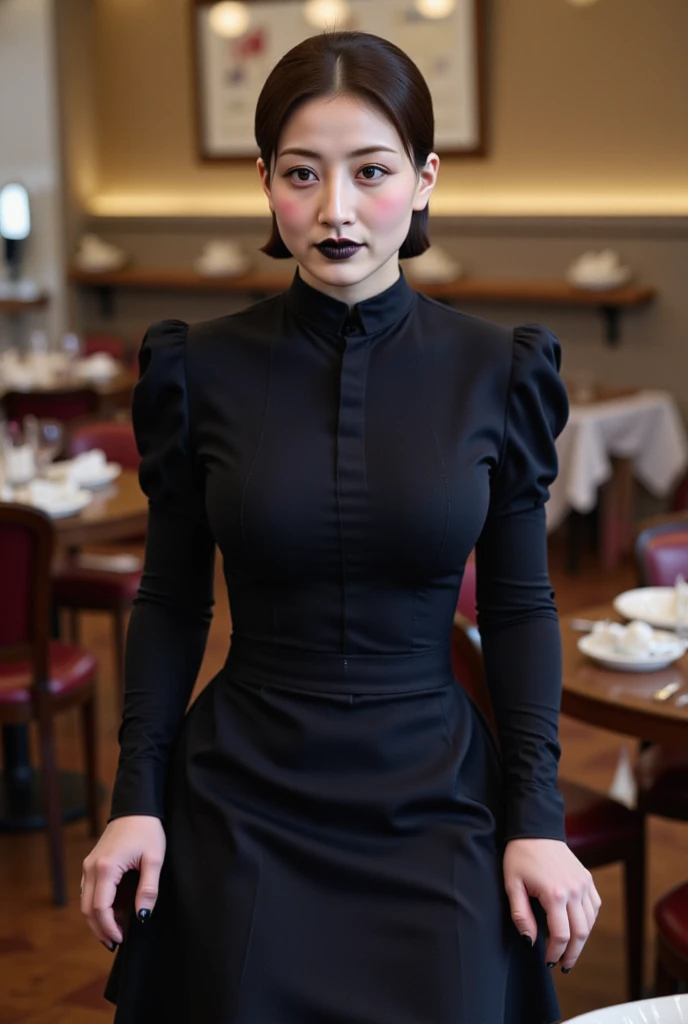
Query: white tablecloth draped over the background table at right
point(646, 428)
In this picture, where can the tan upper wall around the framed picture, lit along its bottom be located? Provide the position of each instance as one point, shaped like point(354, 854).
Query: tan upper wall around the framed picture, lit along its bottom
point(588, 112)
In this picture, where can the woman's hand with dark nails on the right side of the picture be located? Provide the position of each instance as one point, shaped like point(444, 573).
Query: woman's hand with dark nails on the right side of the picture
point(546, 870)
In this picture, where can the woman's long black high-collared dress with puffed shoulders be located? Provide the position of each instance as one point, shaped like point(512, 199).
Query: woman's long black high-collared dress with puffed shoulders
point(335, 807)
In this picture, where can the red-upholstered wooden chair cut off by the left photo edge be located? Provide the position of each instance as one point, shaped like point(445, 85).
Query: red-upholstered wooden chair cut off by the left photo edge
point(39, 677)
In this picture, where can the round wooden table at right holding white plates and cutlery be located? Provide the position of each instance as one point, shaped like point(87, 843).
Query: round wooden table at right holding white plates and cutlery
point(622, 702)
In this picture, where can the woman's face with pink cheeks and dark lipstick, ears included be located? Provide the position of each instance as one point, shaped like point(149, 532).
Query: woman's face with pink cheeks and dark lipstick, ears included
point(342, 173)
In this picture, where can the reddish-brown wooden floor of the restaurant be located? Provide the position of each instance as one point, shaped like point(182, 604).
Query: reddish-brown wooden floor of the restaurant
point(53, 971)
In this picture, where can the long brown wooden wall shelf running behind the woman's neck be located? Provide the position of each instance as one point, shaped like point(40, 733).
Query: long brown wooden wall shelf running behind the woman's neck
point(610, 304)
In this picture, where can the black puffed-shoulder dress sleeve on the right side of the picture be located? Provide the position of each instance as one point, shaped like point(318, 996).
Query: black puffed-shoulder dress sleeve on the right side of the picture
point(518, 616)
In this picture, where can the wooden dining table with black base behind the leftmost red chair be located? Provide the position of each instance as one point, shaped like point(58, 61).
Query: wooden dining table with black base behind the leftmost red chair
point(118, 511)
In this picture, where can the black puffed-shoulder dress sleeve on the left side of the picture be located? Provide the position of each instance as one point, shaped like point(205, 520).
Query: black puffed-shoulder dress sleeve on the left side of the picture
point(173, 611)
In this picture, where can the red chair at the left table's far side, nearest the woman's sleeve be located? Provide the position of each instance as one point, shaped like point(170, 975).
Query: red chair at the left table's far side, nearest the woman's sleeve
point(78, 586)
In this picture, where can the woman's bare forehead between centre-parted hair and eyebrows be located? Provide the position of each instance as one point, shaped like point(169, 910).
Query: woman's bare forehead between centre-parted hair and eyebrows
point(335, 124)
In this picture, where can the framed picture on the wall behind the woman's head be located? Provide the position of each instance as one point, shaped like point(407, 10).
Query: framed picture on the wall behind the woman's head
point(237, 45)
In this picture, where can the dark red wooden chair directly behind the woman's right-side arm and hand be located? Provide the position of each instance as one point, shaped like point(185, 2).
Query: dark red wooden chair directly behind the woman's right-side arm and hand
point(599, 830)
